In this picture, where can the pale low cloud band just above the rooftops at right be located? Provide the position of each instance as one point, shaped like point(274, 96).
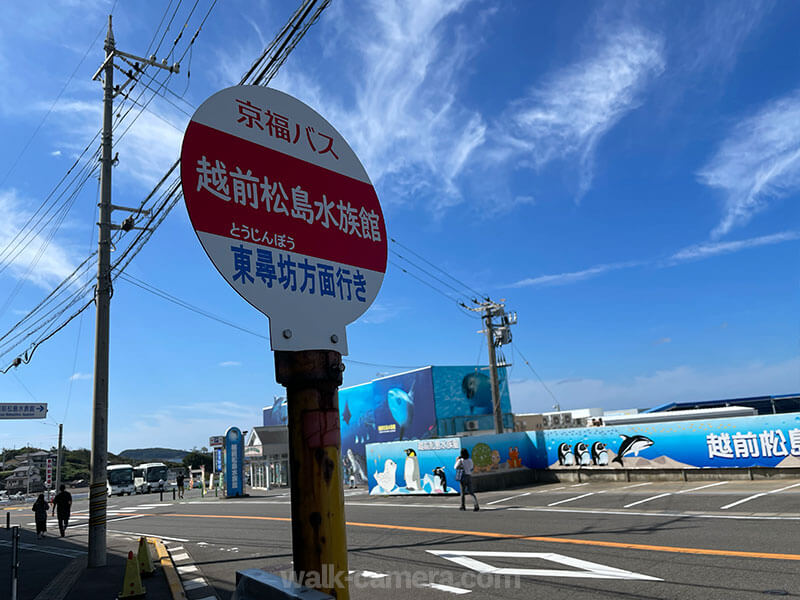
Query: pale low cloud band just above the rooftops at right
point(680, 384)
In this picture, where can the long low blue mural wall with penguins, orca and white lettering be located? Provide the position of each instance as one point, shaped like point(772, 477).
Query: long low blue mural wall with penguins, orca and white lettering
point(758, 441)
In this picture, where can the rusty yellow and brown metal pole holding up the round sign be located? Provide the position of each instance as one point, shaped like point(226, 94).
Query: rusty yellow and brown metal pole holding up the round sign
point(319, 544)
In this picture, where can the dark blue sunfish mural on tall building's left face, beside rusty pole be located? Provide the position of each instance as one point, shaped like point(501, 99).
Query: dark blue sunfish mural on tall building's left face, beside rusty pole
point(399, 407)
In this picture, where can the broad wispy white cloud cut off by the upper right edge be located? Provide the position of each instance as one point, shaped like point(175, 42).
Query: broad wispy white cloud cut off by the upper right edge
point(758, 162)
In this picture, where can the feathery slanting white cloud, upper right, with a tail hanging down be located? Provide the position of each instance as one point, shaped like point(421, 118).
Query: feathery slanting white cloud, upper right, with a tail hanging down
point(568, 114)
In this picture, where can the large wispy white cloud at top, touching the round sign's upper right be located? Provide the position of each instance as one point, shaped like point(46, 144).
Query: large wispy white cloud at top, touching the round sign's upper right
point(402, 115)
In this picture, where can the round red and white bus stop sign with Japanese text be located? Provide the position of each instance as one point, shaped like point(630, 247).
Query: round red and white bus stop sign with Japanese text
point(286, 212)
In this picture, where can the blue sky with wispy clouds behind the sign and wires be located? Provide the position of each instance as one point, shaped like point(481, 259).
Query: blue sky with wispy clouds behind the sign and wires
point(625, 175)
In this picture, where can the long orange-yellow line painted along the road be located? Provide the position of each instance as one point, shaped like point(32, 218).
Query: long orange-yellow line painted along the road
point(530, 538)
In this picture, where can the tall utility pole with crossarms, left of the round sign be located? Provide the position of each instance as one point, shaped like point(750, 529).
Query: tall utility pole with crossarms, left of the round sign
point(99, 458)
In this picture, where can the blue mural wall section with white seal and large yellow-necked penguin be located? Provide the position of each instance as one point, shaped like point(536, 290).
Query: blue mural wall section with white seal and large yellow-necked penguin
point(413, 467)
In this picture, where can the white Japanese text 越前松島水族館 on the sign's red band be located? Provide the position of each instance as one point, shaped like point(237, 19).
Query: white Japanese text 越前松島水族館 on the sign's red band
point(247, 189)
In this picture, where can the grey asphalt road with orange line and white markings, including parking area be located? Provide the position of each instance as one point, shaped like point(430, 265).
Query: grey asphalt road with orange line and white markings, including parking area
point(736, 539)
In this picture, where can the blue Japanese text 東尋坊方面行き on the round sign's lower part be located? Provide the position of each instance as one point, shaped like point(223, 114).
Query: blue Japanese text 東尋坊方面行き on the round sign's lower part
point(316, 278)
